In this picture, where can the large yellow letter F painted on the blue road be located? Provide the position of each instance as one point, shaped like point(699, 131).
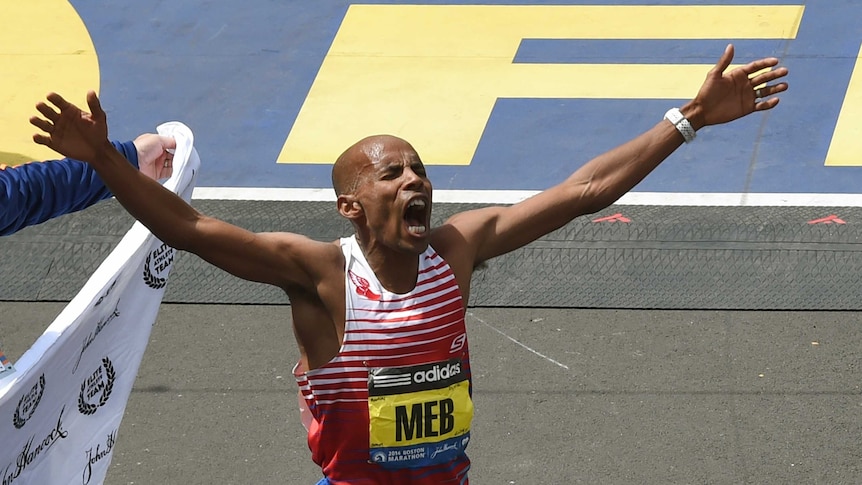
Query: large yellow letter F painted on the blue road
point(431, 74)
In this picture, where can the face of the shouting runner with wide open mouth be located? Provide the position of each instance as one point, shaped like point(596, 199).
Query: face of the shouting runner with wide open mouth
point(395, 194)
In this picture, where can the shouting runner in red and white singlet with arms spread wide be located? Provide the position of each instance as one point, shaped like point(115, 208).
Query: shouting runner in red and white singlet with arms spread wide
point(384, 371)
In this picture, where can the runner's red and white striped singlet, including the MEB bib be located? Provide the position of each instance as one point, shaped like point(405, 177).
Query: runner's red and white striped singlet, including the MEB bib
point(394, 406)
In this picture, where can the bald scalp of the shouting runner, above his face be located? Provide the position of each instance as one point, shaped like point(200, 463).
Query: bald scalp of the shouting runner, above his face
point(350, 165)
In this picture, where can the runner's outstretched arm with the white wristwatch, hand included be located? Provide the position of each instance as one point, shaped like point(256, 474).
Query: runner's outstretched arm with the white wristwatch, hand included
point(723, 97)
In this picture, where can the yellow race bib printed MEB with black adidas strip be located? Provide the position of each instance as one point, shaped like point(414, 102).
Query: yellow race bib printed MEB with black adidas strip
point(419, 415)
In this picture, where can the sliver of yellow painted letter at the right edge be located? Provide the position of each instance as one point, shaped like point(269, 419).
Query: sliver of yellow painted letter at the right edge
point(846, 147)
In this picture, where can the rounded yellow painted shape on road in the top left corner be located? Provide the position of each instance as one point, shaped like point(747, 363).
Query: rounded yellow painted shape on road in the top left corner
point(44, 46)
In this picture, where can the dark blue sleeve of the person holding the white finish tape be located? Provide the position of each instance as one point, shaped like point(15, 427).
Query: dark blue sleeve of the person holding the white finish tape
point(34, 192)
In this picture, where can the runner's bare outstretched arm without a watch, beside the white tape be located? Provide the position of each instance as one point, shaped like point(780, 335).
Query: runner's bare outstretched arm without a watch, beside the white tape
point(269, 258)
